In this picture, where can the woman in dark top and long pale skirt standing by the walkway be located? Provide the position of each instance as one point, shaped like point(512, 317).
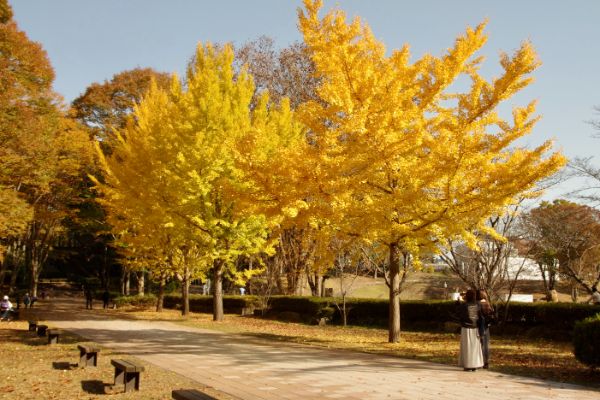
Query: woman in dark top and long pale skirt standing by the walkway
point(471, 355)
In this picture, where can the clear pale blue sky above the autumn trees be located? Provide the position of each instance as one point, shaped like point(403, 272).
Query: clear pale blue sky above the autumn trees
point(91, 40)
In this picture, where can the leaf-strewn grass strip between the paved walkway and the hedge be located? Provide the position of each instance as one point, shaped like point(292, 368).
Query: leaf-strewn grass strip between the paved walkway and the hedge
point(544, 359)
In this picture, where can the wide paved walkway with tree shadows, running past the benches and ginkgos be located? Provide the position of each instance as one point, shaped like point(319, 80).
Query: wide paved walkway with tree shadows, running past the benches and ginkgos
point(250, 368)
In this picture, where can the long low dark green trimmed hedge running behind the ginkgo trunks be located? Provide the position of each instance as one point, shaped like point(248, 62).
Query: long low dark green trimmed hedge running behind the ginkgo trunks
point(542, 318)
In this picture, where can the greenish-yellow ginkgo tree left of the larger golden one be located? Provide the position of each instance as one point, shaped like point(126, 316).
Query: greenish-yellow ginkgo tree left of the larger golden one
point(179, 166)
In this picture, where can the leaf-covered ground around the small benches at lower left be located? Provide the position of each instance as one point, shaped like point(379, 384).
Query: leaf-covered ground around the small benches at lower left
point(31, 369)
